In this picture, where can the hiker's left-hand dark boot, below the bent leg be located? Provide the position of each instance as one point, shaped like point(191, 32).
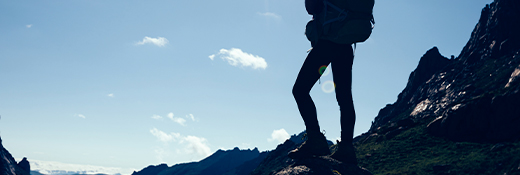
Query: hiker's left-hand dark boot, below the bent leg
point(315, 145)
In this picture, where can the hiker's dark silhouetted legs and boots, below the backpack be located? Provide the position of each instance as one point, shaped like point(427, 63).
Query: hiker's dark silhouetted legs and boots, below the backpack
point(340, 57)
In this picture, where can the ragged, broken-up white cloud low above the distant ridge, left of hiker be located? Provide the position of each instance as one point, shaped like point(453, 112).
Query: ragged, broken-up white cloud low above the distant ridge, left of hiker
point(191, 145)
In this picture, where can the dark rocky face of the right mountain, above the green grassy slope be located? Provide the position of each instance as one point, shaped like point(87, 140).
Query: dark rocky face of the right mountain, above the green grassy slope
point(473, 97)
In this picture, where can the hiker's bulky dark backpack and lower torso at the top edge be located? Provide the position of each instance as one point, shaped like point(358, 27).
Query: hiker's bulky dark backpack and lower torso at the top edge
point(340, 21)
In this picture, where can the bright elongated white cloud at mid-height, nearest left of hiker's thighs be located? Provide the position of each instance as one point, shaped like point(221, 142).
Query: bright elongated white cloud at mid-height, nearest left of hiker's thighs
point(236, 57)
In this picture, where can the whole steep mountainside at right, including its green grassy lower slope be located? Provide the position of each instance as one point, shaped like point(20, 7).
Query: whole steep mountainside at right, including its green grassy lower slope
point(459, 115)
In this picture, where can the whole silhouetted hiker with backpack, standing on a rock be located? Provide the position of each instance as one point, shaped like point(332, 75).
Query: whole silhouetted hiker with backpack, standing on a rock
point(331, 45)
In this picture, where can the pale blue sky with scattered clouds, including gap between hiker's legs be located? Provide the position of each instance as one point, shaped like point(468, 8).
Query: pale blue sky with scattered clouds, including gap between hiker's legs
point(131, 83)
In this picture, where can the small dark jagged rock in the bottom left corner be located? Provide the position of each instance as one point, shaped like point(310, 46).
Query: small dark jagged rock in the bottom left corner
point(8, 165)
